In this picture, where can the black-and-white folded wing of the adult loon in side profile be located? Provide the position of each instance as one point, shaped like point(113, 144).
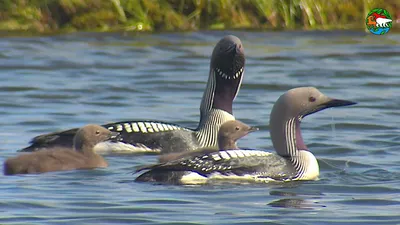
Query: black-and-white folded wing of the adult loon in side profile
point(237, 162)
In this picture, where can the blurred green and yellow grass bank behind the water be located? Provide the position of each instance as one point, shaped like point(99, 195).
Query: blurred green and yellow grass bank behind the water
point(182, 15)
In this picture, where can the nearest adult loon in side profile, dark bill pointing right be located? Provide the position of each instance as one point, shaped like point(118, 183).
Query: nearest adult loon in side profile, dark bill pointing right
point(293, 160)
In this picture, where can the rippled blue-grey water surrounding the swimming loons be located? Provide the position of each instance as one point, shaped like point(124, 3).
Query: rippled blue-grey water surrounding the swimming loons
point(65, 81)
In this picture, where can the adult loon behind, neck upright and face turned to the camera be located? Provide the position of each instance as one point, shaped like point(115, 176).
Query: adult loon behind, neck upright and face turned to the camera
point(225, 78)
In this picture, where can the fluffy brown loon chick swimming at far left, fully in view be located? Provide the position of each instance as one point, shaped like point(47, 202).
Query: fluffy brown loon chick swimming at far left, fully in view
point(81, 156)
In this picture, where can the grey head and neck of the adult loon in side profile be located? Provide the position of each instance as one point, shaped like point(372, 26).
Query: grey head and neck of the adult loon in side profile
point(288, 112)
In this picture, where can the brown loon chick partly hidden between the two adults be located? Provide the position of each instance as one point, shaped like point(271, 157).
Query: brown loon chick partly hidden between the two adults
point(228, 134)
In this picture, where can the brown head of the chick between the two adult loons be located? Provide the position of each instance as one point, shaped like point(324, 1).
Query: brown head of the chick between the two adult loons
point(230, 132)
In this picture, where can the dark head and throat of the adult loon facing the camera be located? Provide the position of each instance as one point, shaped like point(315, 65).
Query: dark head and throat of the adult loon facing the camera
point(227, 67)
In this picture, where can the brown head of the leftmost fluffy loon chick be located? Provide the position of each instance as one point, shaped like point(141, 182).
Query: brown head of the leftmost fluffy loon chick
point(90, 135)
